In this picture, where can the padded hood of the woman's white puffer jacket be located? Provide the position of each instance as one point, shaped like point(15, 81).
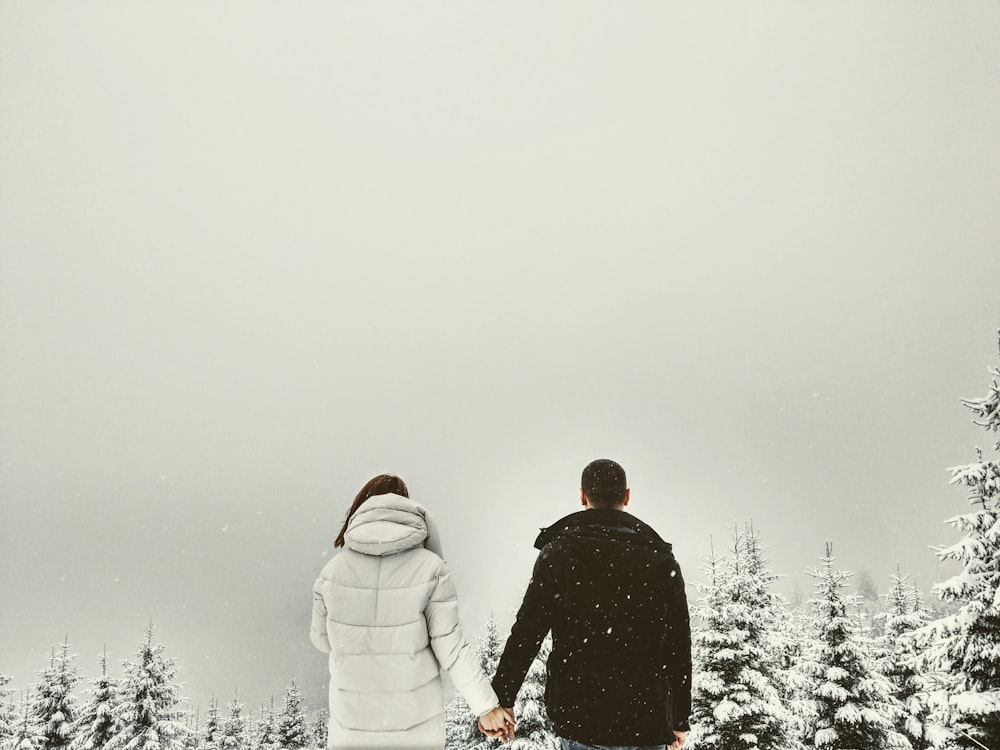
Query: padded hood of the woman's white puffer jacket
point(387, 524)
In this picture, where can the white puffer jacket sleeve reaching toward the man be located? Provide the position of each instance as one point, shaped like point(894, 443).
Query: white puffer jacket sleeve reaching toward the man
point(451, 649)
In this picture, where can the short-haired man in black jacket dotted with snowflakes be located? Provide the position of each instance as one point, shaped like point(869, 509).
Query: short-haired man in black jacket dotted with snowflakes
point(611, 592)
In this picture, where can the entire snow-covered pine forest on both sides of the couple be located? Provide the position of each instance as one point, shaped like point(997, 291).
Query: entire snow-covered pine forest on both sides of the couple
point(831, 672)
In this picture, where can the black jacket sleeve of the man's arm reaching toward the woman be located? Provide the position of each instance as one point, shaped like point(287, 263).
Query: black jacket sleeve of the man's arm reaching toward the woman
point(534, 620)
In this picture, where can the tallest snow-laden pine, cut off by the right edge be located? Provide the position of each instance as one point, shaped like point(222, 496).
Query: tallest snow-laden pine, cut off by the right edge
point(966, 645)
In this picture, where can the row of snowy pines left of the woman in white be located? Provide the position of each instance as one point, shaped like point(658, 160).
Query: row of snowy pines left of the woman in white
point(143, 710)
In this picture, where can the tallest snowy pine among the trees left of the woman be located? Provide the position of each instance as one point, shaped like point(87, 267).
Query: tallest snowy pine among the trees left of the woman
point(147, 713)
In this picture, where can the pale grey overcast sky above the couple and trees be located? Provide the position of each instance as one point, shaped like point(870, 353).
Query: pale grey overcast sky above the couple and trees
point(252, 254)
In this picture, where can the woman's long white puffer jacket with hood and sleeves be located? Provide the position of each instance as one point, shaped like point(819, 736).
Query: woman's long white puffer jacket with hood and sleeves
point(386, 611)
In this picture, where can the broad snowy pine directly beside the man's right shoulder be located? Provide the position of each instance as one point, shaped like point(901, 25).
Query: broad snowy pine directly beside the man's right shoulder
point(736, 697)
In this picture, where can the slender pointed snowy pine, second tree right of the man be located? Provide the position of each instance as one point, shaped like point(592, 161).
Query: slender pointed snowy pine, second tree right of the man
point(854, 707)
